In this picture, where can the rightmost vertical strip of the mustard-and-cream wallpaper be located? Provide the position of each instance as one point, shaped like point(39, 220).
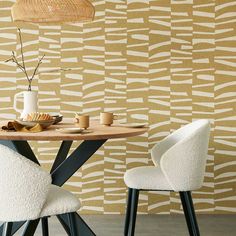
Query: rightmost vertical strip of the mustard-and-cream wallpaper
point(225, 87)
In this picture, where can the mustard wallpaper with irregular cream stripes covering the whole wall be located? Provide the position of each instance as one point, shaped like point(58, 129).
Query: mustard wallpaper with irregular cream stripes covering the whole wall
point(157, 61)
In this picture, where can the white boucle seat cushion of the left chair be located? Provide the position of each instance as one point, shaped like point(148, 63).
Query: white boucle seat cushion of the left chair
point(59, 201)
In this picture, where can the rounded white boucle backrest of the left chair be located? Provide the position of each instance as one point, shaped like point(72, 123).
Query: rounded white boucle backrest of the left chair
point(23, 187)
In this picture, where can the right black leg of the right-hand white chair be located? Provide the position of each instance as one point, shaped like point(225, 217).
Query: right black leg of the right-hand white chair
point(189, 213)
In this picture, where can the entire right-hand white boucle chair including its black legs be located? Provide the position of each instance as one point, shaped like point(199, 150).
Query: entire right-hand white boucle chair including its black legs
point(179, 165)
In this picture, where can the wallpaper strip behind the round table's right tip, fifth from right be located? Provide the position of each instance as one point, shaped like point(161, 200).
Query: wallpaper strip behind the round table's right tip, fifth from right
point(137, 84)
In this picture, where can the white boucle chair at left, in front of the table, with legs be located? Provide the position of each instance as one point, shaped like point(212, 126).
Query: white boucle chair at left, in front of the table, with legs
point(26, 193)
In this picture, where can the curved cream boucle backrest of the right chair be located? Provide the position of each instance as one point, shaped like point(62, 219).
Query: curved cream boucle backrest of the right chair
point(184, 154)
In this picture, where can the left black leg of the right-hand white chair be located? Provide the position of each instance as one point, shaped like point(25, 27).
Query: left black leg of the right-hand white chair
point(133, 211)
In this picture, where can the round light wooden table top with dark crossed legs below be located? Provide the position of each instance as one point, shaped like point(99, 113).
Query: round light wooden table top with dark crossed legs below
point(95, 132)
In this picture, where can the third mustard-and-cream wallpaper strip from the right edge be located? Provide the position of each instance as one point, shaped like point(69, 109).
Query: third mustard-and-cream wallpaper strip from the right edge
point(181, 72)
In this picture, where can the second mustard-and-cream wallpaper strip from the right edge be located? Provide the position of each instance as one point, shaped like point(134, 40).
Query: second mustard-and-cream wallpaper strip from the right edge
point(203, 89)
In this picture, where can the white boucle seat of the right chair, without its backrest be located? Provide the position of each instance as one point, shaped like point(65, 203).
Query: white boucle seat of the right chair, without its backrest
point(146, 178)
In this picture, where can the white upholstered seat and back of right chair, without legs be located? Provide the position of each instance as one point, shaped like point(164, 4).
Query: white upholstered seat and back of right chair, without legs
point(179, 161)
